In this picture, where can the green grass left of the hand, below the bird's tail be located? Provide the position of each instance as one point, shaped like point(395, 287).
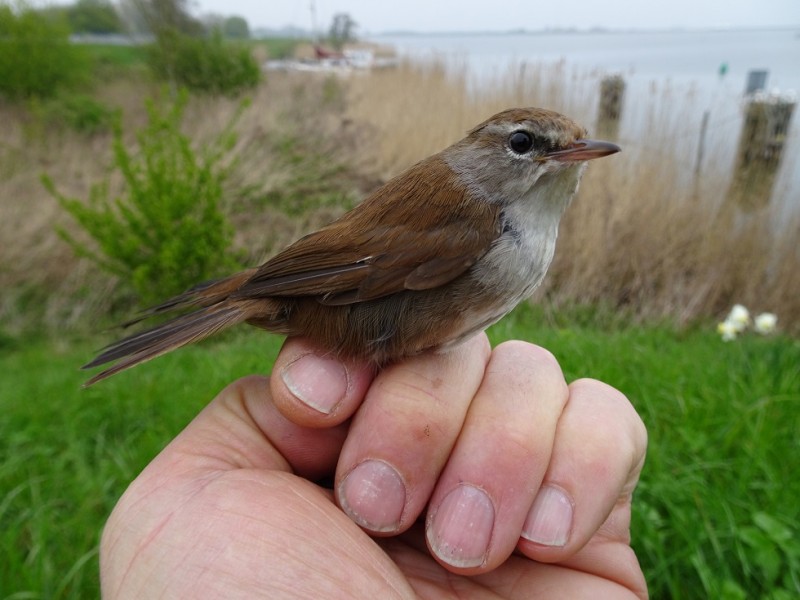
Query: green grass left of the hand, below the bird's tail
point(67, 453)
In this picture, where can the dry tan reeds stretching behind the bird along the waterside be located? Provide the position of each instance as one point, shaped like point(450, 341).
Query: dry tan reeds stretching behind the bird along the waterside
point(644, 235)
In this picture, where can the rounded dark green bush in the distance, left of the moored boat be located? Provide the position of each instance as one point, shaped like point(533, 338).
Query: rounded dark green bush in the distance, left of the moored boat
point(208, 65)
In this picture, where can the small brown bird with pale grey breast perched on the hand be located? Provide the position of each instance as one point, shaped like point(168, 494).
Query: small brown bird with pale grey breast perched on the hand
point(427, 260)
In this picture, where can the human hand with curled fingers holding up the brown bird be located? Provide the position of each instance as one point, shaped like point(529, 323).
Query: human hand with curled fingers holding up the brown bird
point(525, 483)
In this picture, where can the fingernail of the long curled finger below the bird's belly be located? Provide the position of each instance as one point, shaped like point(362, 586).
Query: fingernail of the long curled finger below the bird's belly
point(374, 495)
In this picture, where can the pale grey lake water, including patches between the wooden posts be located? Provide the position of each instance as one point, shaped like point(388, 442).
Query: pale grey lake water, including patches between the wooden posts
point(688, 63)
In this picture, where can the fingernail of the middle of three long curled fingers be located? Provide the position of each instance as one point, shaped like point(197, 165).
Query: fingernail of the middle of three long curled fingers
point(461, 528)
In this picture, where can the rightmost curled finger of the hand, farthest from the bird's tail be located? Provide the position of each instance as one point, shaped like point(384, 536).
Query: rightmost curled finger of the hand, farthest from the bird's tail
point(598, 454)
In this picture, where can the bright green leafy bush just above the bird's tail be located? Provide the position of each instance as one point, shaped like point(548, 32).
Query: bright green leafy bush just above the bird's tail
point(166, 231)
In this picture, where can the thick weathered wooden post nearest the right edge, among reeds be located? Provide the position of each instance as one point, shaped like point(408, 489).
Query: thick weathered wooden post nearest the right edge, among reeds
point(761, 145)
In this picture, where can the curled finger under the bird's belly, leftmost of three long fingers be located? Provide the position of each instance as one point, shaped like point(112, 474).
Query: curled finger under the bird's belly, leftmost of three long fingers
point(403, 433)
